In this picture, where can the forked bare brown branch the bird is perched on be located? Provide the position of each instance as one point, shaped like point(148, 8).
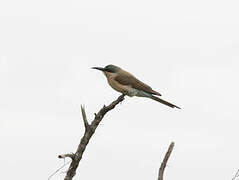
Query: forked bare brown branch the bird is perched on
point(89, 131)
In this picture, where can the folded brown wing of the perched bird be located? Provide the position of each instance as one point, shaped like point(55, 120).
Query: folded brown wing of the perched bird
point(132, 81)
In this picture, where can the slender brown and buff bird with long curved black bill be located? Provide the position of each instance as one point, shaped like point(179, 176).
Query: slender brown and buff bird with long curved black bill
point(127, 84)
